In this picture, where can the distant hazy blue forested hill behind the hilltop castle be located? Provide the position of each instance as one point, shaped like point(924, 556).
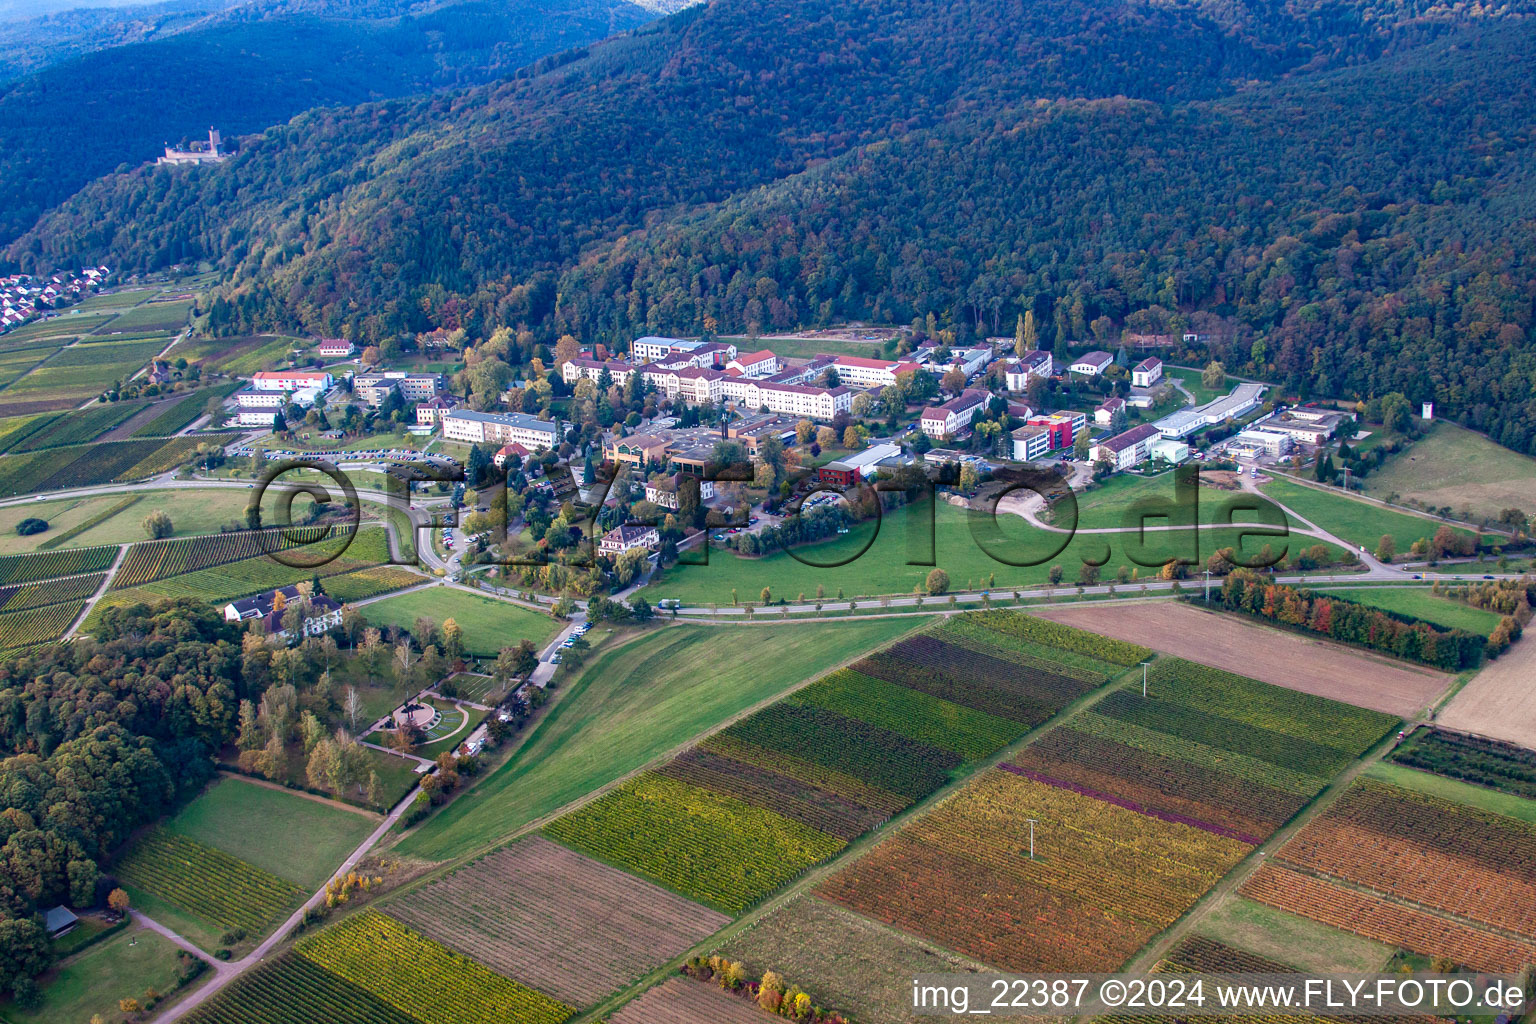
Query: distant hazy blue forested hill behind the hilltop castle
point(257, 67)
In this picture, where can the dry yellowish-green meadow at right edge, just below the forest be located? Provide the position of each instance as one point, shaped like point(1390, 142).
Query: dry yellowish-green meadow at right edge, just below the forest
point(1458, 467)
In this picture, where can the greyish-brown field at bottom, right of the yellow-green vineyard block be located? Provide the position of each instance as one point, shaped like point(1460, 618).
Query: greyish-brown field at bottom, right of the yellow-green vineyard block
point(560, 922)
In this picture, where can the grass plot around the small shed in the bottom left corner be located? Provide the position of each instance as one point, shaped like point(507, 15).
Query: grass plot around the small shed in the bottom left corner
point(119, 968)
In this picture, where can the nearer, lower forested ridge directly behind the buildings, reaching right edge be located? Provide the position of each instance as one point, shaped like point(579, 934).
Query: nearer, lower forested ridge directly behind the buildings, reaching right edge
point(1372, 230)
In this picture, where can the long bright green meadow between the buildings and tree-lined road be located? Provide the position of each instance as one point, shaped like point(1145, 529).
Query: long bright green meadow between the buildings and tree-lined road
point(884, 569)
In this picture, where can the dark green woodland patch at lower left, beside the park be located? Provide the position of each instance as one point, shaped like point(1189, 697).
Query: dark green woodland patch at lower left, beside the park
point(98, 739)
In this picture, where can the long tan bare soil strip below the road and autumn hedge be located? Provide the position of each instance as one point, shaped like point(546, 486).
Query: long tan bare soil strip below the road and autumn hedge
point(1285, 659)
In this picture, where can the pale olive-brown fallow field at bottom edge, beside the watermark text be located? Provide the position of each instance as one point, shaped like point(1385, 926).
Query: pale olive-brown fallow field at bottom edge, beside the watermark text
point(846, 962)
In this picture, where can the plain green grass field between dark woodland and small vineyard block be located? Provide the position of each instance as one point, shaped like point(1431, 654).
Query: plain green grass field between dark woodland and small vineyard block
point(242, 819)
